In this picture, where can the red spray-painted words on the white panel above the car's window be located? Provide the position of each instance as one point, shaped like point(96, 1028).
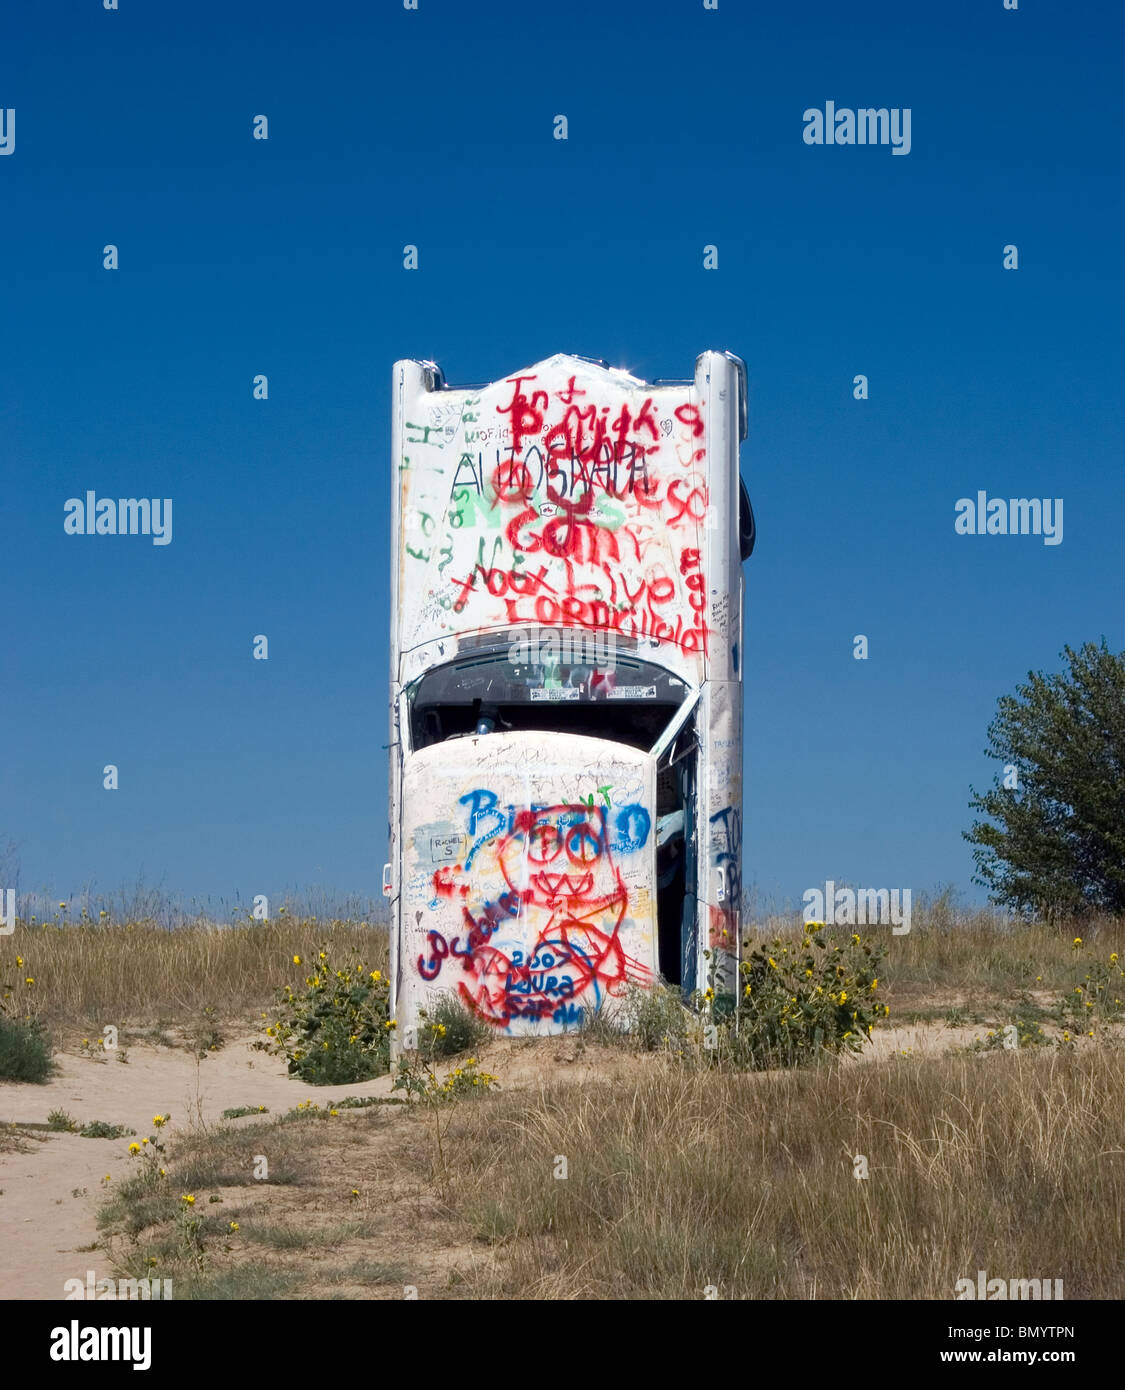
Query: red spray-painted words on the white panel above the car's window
point(576, 491)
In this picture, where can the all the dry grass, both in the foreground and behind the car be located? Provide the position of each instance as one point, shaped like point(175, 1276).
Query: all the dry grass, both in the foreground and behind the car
point(888, 1177)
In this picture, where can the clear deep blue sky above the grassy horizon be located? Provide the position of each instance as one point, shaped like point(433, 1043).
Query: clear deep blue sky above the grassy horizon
point(435, 129)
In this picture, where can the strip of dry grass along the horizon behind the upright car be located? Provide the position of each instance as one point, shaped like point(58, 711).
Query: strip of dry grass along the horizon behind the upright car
point(143, 974)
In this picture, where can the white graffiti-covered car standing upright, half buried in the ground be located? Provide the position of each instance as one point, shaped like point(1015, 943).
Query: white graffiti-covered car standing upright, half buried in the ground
point(567, 665)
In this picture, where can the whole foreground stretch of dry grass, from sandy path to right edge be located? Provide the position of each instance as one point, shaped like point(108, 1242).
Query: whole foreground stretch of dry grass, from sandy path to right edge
point(1010, 1163)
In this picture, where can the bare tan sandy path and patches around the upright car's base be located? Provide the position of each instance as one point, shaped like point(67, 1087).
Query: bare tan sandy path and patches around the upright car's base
point(51, 1186)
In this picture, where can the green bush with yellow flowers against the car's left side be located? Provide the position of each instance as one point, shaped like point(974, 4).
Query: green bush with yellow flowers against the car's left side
point(339, 1029)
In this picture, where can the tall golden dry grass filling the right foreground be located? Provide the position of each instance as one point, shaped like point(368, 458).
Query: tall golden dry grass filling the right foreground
point(1010, 1164)
